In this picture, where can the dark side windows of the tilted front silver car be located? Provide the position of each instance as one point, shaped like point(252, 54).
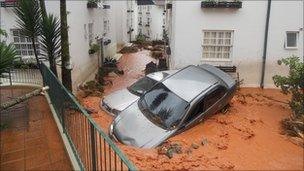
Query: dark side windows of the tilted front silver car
point(206, 102)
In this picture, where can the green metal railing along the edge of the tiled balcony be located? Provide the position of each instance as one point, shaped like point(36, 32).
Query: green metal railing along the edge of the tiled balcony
point(93, 149)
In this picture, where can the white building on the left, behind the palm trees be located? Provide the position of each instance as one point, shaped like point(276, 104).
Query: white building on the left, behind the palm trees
point(86, 25)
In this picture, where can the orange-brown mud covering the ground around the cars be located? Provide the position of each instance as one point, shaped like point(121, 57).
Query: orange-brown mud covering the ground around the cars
point(248, 136)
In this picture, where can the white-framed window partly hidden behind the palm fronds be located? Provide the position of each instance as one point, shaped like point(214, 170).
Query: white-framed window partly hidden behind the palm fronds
point(23, 44)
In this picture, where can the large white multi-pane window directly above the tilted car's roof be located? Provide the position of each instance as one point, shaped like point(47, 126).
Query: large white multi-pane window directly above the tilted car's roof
point(217, 44)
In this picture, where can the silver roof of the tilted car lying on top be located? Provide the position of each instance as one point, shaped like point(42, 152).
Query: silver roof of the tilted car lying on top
point(190, 82)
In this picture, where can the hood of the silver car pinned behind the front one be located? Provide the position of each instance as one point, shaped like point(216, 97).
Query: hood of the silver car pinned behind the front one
point(120, 99)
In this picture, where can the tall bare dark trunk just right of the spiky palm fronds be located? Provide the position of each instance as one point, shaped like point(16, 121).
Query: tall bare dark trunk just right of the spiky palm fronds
point(65, 51)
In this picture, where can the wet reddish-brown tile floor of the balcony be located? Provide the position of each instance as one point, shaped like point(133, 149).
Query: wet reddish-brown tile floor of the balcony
point(31, 140)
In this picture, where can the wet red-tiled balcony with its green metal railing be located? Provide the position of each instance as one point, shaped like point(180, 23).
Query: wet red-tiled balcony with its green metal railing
point(49, 131)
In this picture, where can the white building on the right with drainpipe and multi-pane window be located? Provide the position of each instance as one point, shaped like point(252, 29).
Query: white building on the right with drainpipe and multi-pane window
point(235, 36)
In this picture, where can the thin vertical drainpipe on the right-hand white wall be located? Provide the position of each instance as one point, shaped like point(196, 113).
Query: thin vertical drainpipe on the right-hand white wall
point(265, 43)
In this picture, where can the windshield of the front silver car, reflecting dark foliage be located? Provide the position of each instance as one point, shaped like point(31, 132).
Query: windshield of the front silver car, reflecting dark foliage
point(162, 107)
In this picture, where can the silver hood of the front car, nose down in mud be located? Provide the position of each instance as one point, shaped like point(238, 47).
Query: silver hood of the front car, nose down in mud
point(131, 127)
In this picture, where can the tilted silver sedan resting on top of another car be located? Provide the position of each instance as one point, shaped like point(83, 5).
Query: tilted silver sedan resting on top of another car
point(173, 105)
